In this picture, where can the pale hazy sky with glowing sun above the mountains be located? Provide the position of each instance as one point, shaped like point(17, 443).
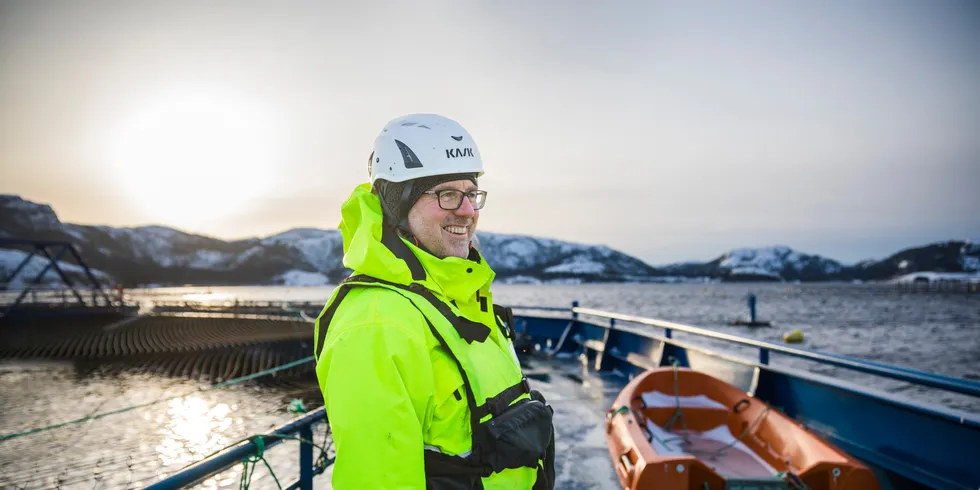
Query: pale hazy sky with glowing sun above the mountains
point(667, 130)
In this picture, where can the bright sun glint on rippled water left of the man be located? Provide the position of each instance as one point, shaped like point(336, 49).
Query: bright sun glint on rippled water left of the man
point(192, 430)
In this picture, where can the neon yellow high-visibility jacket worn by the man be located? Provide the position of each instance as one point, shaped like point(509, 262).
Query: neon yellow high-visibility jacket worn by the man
point(390, 388)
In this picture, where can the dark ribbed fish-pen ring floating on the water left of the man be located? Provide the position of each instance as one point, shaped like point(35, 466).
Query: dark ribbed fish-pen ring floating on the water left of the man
point(207, 346)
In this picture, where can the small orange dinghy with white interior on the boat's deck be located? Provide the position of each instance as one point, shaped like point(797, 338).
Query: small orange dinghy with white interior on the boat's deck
point(673, 428)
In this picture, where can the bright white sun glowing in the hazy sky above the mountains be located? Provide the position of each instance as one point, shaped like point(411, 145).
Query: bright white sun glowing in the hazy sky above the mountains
point(193, 158)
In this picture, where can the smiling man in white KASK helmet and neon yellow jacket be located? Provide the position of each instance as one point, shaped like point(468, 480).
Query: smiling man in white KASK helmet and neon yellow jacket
point(420, 380)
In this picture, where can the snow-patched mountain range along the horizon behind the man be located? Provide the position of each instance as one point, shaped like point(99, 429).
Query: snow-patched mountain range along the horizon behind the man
point(307, 256)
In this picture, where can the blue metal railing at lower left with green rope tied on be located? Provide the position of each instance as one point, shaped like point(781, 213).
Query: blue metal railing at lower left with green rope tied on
point(301, 428)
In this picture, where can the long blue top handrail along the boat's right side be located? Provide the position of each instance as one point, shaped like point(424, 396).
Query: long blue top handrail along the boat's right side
point(956, 385)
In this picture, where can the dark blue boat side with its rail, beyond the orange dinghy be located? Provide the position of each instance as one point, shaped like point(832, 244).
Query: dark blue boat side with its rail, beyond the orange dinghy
point(934, 450)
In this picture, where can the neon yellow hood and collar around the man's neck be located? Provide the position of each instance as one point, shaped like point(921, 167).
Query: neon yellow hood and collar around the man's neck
point(366, 253)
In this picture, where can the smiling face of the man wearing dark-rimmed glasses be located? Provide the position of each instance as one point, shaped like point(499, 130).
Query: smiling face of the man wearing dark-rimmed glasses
point(444, 233)
